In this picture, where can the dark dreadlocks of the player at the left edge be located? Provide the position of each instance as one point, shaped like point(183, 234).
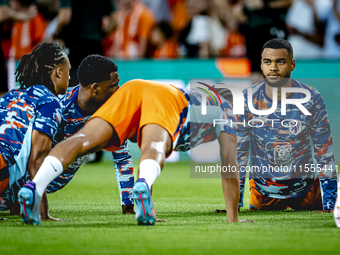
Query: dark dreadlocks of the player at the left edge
point(36, 67)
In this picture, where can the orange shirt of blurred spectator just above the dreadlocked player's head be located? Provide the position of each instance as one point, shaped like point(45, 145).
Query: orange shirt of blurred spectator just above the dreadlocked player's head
point(26, 35)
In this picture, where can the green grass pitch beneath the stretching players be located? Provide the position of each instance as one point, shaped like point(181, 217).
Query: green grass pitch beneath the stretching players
point(96, 225)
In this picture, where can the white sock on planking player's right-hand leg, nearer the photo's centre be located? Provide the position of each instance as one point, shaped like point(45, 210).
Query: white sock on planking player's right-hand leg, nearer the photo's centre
point(149, 169)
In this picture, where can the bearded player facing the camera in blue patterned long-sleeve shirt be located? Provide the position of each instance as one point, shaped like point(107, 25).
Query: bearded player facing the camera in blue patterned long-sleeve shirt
point(291, 156)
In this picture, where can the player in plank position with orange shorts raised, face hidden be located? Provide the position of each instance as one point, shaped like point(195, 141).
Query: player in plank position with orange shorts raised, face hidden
point(156, 116)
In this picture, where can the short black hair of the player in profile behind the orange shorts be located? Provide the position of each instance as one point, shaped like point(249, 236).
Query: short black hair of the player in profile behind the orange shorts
point(95, 69)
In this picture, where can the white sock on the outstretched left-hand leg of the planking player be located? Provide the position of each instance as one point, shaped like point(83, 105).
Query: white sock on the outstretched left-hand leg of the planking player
point(50, 169)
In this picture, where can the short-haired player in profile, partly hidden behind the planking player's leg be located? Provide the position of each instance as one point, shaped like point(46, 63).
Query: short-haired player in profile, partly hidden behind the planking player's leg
point(78, 105)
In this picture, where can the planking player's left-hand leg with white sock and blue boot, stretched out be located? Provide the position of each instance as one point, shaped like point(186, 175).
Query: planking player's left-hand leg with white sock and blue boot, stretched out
point(94, 136)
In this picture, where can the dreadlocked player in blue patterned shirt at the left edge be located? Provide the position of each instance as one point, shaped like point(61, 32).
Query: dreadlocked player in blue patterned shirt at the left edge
point(29, 118)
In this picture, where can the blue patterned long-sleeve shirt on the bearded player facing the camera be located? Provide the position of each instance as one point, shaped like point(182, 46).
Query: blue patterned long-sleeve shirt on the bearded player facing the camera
point(300, 145)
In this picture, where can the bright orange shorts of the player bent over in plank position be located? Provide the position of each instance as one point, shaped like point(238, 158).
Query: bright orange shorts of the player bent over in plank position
point(140, 102)
